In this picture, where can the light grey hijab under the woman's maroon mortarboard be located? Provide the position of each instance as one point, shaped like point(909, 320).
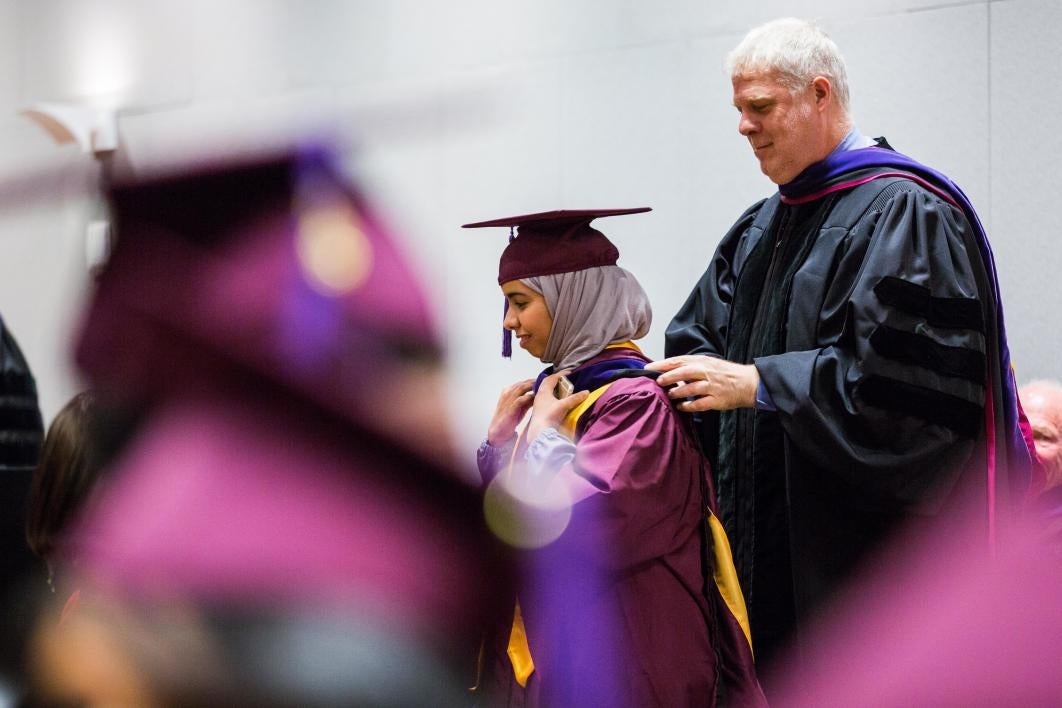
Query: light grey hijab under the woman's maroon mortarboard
point(591, 309)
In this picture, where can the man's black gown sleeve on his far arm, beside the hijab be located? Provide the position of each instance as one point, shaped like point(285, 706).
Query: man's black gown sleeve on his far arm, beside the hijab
point(700, 325)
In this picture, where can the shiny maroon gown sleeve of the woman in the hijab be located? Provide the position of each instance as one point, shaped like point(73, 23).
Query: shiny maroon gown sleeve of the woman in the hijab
point(637, 479)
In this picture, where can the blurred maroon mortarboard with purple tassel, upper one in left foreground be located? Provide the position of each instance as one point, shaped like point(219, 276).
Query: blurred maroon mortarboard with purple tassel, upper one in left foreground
point(278, 266)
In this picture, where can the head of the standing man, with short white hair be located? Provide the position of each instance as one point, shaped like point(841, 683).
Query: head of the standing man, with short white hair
point(792, 92)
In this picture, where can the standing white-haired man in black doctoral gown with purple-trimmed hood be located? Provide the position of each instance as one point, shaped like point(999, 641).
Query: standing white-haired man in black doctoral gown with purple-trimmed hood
point(845, 351)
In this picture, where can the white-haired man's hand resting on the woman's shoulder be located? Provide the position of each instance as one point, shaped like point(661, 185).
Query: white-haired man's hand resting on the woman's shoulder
point(712, 384)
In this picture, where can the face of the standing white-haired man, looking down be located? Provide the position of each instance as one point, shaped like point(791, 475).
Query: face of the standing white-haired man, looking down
point(786, 132)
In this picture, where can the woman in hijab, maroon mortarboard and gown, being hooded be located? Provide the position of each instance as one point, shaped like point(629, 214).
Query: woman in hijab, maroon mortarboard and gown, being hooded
point(606, 493)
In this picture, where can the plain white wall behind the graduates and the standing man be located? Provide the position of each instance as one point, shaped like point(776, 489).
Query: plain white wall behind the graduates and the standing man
point(483, 109)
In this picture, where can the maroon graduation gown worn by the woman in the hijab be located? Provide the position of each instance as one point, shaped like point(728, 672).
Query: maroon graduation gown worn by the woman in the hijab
point(614, 611)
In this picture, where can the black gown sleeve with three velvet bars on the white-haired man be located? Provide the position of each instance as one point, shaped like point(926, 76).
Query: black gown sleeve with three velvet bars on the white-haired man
point(890, 393)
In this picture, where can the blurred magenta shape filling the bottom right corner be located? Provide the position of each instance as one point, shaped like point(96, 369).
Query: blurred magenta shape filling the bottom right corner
point(938, 624)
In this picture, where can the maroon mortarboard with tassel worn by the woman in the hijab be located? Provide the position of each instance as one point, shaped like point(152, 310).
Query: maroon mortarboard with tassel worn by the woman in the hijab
point(552, 243)
